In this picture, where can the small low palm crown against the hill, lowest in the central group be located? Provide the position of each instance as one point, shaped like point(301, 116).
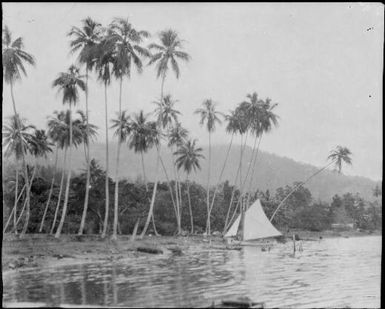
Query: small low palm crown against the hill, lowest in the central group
point(188, 156)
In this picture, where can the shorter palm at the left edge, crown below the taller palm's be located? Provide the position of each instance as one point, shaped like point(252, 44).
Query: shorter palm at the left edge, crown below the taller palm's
point(17, 136)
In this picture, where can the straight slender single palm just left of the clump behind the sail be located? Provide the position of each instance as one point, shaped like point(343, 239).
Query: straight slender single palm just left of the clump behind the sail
point(210, 116)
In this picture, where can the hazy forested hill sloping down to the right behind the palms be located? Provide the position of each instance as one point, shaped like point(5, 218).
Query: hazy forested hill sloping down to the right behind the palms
point(272, 171)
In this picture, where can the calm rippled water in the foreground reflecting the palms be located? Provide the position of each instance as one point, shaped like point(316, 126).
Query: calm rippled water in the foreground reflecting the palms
point(343, 272)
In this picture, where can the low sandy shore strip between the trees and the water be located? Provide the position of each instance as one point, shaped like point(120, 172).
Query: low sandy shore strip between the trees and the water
point(41, 251)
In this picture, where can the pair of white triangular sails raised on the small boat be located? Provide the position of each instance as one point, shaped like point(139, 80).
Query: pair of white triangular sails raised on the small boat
point(257, 225)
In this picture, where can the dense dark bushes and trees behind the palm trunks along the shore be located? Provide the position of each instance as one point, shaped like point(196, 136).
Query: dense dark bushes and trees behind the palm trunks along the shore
point(300, 211)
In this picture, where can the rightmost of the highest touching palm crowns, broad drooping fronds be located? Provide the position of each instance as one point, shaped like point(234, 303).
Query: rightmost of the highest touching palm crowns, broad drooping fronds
point(124, 42)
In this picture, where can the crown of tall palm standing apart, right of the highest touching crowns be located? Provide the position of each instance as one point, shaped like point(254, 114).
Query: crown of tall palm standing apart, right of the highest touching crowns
point(168, 51)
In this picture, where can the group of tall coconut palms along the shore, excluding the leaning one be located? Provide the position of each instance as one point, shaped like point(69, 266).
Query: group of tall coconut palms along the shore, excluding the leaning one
point(110, 53)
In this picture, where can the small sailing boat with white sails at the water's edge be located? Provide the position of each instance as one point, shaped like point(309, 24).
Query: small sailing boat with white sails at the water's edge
point(252, 225)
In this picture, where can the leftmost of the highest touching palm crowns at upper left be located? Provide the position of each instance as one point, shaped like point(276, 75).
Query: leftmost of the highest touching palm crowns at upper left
point(86, 40)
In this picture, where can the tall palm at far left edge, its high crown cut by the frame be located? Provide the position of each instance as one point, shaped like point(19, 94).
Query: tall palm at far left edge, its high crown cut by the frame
point(13, 57)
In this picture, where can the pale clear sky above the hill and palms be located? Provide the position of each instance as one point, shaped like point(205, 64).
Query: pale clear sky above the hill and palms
point(322, 63)
